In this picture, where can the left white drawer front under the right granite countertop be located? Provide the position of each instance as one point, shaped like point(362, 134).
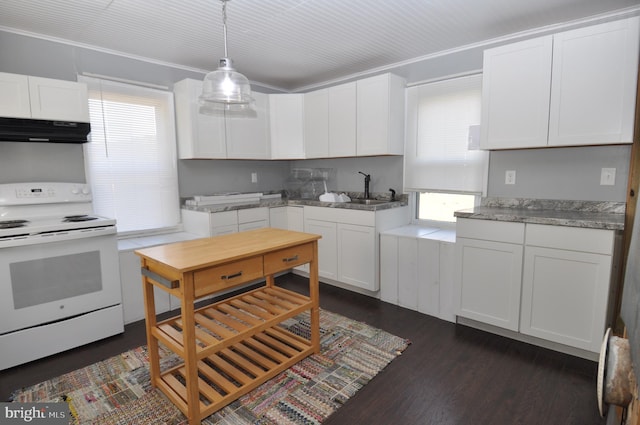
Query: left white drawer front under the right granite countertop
point(499, 231)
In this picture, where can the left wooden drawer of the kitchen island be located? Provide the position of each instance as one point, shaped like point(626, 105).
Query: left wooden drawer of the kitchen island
point(227, 275)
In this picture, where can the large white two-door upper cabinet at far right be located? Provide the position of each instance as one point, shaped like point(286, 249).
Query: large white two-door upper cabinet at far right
point(573, 88)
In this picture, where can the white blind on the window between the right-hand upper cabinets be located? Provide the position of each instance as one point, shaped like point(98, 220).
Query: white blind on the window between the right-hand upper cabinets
point(437, 157)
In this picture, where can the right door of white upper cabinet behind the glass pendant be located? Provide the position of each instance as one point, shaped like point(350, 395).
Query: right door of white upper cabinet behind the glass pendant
point(248, 137)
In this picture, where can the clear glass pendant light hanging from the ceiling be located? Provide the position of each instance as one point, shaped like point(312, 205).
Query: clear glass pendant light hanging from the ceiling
point(225, 89)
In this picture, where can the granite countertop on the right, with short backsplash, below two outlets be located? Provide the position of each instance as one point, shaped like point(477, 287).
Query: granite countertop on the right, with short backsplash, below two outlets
point(586, 214)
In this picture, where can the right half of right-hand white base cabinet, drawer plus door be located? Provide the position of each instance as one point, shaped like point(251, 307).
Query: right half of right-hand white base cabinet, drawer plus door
point(565, 284)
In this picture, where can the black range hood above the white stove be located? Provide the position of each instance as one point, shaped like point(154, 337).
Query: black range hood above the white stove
point(43, 131)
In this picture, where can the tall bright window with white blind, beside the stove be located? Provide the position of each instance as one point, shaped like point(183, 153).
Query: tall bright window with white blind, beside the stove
point(131, 159)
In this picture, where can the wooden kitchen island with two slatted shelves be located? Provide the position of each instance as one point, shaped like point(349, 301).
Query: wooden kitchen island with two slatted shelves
point(232, 346)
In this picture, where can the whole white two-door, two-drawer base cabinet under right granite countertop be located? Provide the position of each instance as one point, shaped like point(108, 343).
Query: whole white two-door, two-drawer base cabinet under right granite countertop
point(547, 282)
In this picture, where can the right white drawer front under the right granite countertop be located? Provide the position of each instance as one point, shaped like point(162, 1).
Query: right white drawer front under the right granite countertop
point(598, 241)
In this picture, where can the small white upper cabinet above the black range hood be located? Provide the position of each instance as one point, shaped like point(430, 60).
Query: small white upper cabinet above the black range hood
point(23, 96)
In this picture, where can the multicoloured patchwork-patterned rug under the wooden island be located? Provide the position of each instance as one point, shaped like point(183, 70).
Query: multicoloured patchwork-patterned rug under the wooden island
point(117, 390)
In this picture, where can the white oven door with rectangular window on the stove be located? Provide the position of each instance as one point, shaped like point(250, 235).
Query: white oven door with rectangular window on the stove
point(44, 279)
